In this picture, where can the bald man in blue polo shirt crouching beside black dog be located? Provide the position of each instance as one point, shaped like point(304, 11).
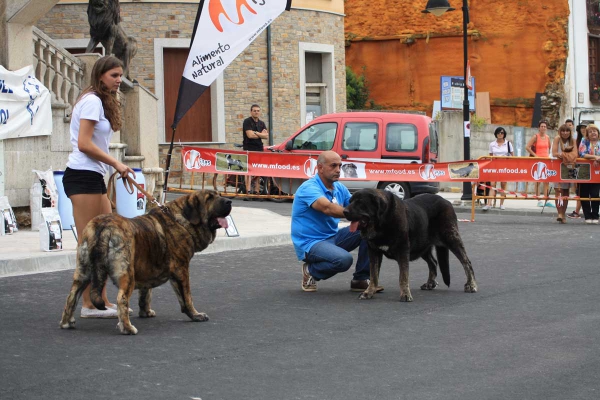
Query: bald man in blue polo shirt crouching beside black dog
point(324, 248)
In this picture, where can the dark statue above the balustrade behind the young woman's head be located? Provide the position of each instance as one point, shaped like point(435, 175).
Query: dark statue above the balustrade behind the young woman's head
point(104, 19)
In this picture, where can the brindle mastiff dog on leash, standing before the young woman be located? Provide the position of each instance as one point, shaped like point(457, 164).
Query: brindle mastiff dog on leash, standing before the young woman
point(145, 252)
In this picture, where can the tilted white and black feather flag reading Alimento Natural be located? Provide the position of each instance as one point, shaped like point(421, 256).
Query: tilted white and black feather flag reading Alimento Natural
point(223, 29)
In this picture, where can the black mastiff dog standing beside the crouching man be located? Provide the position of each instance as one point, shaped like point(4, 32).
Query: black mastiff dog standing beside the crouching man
point(404, 230)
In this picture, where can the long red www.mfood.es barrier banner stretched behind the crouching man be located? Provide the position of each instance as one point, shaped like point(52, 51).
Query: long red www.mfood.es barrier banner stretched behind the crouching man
point(304, 166)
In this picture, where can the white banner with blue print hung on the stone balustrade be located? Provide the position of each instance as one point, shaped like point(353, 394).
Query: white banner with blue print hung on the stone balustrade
point(25, 105)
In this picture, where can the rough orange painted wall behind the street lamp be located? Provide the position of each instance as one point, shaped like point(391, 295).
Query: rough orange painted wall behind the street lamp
point(519, 47)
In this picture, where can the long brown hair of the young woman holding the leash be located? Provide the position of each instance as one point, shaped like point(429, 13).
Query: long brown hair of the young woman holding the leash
point(110, 102)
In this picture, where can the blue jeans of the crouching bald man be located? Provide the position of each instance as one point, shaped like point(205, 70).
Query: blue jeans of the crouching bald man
point(331, 256)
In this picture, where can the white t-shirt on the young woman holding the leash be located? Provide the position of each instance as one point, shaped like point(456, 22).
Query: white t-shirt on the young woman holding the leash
point(90, 108)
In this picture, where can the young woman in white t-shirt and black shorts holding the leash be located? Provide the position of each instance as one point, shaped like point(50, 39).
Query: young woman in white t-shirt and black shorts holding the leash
point(95, 117)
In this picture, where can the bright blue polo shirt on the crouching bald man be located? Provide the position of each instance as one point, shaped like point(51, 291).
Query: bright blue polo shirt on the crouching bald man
point(310, 226)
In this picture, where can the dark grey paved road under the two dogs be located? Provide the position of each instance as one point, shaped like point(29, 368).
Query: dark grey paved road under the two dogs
point(530, 333)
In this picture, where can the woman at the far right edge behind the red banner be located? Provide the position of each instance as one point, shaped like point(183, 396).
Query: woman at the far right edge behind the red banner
point(590, 150)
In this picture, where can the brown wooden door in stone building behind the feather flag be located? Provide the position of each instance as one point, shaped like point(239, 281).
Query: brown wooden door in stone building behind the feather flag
point(196, 124)
